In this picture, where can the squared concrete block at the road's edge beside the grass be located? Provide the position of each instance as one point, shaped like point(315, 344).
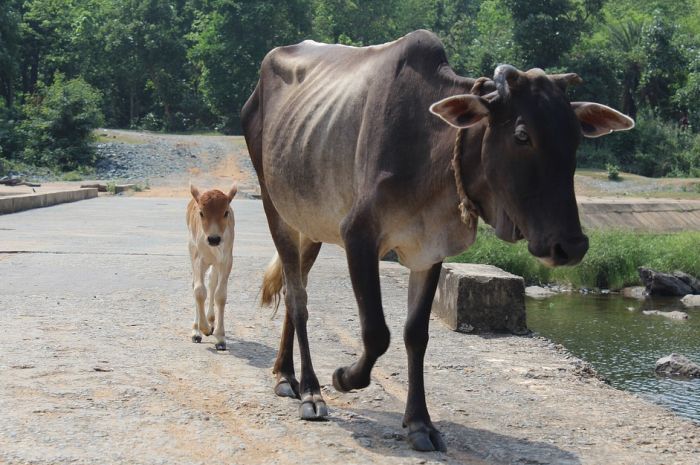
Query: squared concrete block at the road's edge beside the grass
point(474, 298)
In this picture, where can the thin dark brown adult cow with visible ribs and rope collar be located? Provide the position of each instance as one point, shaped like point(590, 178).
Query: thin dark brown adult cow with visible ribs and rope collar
point(386, 148)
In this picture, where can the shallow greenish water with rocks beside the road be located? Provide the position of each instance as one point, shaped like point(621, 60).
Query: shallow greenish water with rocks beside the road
point(611, 333)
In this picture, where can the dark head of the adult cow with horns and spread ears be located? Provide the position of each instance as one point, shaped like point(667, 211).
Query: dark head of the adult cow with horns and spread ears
point(528, 157)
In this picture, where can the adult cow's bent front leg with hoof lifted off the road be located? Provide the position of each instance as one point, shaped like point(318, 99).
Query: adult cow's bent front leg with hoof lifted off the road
point(363, 261)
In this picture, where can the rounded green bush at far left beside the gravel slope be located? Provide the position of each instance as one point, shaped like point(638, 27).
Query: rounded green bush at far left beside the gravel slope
point(58, 125)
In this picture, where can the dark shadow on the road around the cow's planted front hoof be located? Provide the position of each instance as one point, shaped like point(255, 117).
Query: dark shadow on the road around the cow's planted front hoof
point(374, 430)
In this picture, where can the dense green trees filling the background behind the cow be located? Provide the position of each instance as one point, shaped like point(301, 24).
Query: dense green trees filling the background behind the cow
point(190, 64)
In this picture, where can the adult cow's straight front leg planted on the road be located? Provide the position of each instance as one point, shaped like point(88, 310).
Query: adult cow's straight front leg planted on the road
point(422, 435)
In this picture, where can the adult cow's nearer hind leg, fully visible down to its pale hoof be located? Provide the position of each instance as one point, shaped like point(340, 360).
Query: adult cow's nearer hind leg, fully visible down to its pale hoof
point(288, 244)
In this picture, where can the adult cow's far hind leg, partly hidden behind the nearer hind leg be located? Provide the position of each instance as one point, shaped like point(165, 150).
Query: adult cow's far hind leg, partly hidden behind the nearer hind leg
point(287, 384)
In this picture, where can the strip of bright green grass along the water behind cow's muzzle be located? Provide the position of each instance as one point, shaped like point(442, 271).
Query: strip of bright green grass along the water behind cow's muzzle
point(611, 261)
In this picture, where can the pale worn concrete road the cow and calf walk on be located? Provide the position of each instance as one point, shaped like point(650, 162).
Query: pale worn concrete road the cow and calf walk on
point(96, 363)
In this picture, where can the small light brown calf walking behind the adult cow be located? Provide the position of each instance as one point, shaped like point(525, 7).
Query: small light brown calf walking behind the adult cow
point(210, 221)
